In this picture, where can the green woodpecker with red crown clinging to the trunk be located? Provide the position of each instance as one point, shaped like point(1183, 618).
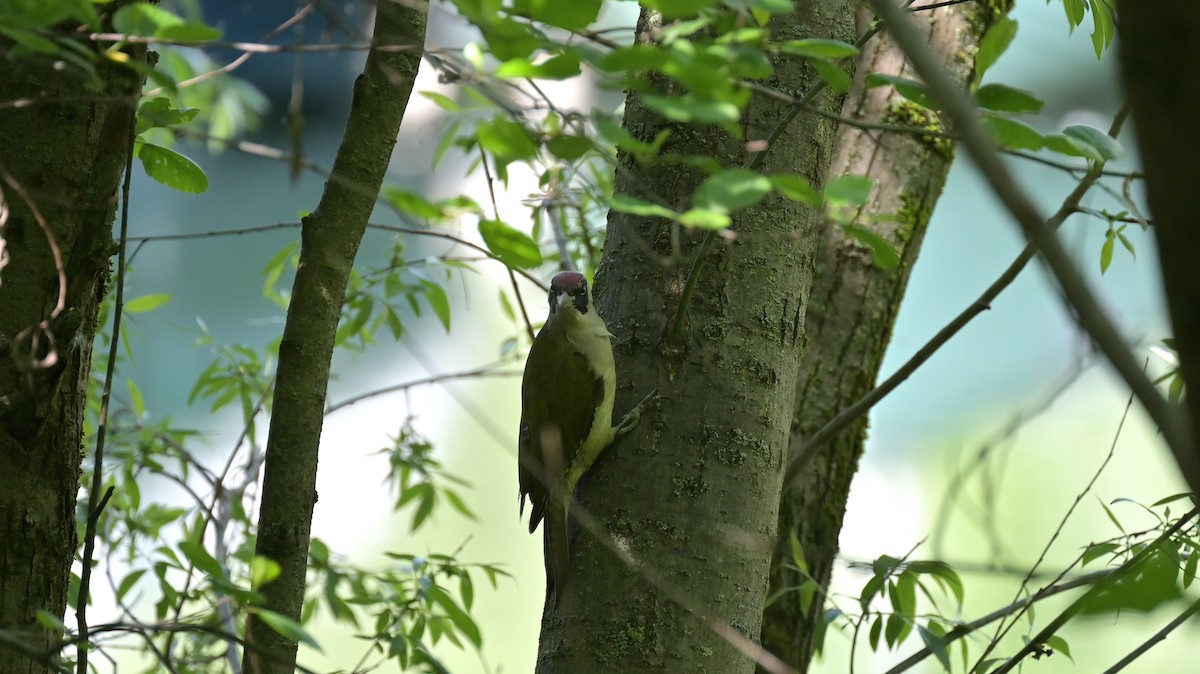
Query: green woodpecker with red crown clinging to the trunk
point(567, 399)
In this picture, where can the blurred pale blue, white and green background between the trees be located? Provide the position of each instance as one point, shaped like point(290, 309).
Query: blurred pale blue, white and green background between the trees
point(976, 460)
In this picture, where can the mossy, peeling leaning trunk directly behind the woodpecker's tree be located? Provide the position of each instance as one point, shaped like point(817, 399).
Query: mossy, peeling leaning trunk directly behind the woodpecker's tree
point(854, 309)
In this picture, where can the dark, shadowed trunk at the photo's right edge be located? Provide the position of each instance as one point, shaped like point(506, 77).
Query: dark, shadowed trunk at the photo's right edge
point(1161, 69)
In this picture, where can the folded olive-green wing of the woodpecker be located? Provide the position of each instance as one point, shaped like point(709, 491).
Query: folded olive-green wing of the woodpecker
point(567, 417)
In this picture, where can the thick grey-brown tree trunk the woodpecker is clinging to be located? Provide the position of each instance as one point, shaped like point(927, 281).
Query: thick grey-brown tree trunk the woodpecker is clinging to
point(689, 500)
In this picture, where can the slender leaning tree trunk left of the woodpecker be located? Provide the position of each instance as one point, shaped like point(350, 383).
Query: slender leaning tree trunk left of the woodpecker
point(331, 238)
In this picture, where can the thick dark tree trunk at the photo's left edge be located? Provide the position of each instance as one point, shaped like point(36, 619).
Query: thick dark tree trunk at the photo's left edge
point(62, 159)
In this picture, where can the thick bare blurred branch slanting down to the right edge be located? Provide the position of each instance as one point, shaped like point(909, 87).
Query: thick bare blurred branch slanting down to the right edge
point(959, 112)
